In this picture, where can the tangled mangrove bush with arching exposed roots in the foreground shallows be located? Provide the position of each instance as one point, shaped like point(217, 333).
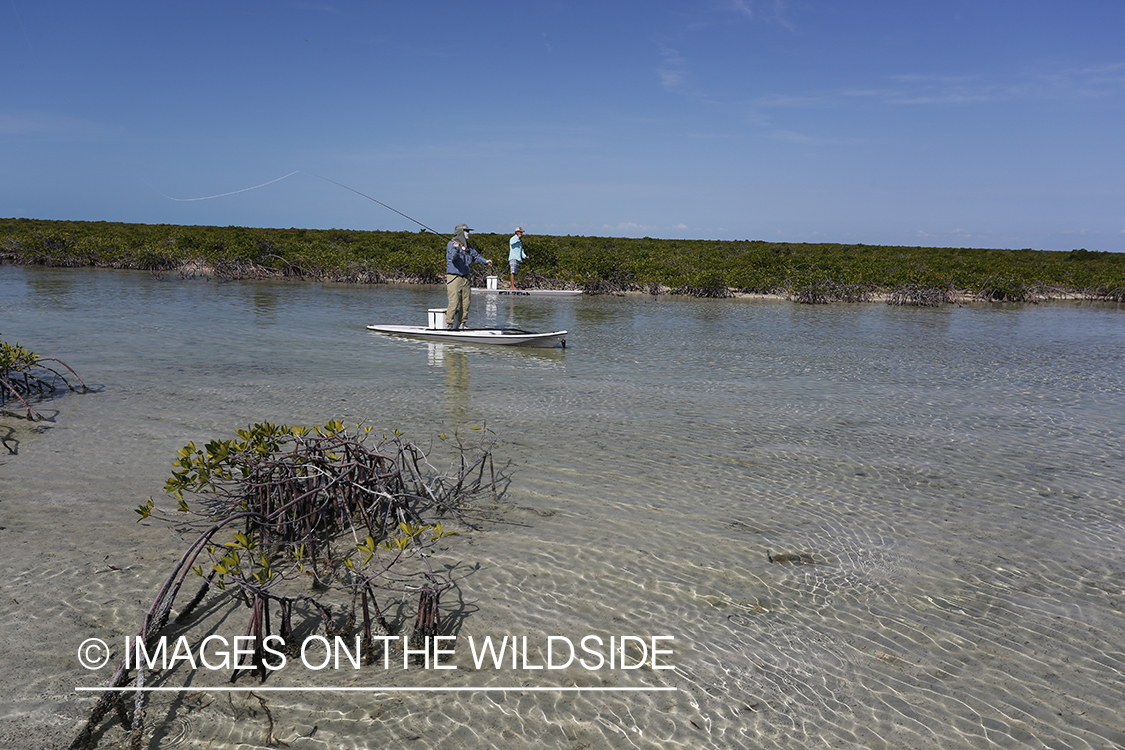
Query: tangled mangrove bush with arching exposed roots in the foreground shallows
point(305, 528)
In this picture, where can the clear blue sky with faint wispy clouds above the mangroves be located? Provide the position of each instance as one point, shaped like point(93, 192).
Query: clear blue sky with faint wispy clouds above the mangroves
point(970, 124)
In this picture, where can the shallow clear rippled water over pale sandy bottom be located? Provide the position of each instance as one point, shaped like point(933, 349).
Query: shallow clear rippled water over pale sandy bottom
point(956, 474)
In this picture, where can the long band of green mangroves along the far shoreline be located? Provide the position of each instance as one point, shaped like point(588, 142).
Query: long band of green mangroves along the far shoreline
point(809, 273)
